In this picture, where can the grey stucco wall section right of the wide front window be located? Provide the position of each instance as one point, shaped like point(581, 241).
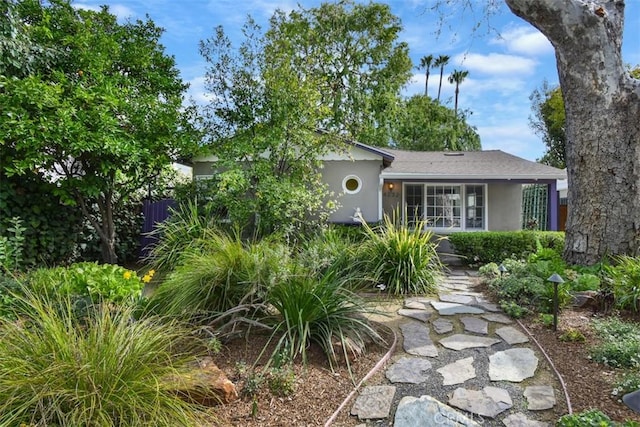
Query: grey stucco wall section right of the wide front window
point(505, 207)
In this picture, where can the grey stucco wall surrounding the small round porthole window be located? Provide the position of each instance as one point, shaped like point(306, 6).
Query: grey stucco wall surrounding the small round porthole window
point(335, 171)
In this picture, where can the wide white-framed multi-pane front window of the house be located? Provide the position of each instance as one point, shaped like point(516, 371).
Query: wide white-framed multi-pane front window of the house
point(446, 207)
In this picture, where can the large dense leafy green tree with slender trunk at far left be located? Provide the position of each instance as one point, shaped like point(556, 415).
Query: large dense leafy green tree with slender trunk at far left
point(102, 118)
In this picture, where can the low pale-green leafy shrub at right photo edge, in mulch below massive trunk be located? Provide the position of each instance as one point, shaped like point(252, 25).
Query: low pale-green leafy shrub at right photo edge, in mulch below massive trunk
point(620, 343)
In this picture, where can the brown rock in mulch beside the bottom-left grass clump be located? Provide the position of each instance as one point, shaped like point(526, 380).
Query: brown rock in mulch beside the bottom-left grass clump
point(205, 384)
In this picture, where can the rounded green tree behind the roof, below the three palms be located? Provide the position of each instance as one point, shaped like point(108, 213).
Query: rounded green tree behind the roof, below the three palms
point(423, 124)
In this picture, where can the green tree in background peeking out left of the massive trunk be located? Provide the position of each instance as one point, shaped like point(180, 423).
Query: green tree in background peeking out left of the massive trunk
point(548, 121)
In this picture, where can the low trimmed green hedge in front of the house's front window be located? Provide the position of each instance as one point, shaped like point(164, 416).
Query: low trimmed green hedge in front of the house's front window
point(494, 246)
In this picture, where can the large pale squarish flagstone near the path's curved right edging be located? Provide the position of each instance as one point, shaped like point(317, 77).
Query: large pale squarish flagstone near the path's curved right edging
point(515, 365)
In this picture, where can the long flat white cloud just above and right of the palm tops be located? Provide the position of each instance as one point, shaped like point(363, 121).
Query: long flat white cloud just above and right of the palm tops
point(496, 63)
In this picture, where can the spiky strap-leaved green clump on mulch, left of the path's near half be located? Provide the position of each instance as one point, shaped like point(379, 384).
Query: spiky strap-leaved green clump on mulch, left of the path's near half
point(322, 312)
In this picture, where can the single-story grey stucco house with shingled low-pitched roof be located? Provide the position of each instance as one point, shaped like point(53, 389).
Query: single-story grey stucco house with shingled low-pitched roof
point(452, 191)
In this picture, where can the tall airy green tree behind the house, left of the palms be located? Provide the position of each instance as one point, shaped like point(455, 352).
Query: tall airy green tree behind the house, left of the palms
point(353, 51)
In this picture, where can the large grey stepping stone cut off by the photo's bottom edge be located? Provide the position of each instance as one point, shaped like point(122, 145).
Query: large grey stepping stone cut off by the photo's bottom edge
point(427, 411)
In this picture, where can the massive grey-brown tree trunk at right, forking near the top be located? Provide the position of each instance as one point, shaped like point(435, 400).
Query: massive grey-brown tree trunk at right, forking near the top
point(602, 104)
